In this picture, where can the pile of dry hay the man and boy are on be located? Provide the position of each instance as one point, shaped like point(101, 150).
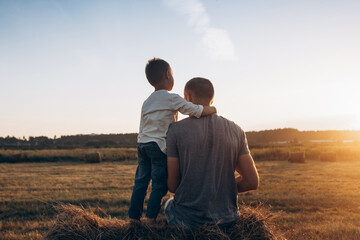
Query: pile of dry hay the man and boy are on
point(74, 222)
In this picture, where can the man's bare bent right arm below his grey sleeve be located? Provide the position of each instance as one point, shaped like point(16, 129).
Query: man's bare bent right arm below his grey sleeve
point(249, 178)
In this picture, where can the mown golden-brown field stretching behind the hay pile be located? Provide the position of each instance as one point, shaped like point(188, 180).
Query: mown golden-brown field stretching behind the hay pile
point(315, 200)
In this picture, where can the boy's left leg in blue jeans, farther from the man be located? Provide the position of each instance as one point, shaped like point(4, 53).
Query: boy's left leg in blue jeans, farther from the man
point(142, 179)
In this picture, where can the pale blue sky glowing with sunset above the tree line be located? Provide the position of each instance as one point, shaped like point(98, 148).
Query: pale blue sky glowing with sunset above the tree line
point(77, 67)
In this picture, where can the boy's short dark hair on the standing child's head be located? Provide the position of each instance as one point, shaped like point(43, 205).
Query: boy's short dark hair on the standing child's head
point(155, 70)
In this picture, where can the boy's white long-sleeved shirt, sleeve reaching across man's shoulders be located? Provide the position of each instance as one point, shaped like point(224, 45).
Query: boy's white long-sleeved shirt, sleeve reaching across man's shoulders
point(158, 111)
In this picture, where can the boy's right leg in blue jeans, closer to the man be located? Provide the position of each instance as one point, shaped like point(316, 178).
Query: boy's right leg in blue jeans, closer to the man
point(159, 180)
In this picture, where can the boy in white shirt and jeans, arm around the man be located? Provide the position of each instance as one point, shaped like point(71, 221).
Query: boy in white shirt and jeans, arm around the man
point(158, 111)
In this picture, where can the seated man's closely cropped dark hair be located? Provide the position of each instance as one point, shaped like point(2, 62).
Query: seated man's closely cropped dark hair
point(201, 87)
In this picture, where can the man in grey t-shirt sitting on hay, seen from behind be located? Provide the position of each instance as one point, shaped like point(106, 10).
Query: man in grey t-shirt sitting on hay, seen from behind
point(202, 157)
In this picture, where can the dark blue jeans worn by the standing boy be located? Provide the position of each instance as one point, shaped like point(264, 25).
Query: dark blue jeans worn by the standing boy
point(151, 165)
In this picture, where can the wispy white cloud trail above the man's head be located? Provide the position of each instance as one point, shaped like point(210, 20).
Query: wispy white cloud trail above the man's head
point(215, 41)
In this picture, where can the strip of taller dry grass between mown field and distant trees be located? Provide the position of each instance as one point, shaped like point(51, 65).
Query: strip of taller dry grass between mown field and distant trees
point(343, 152)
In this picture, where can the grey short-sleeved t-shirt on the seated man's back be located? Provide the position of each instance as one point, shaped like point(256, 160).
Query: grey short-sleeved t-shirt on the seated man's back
point(207, 149)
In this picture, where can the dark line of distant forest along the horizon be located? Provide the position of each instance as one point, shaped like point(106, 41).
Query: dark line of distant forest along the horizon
point(255, 138)
